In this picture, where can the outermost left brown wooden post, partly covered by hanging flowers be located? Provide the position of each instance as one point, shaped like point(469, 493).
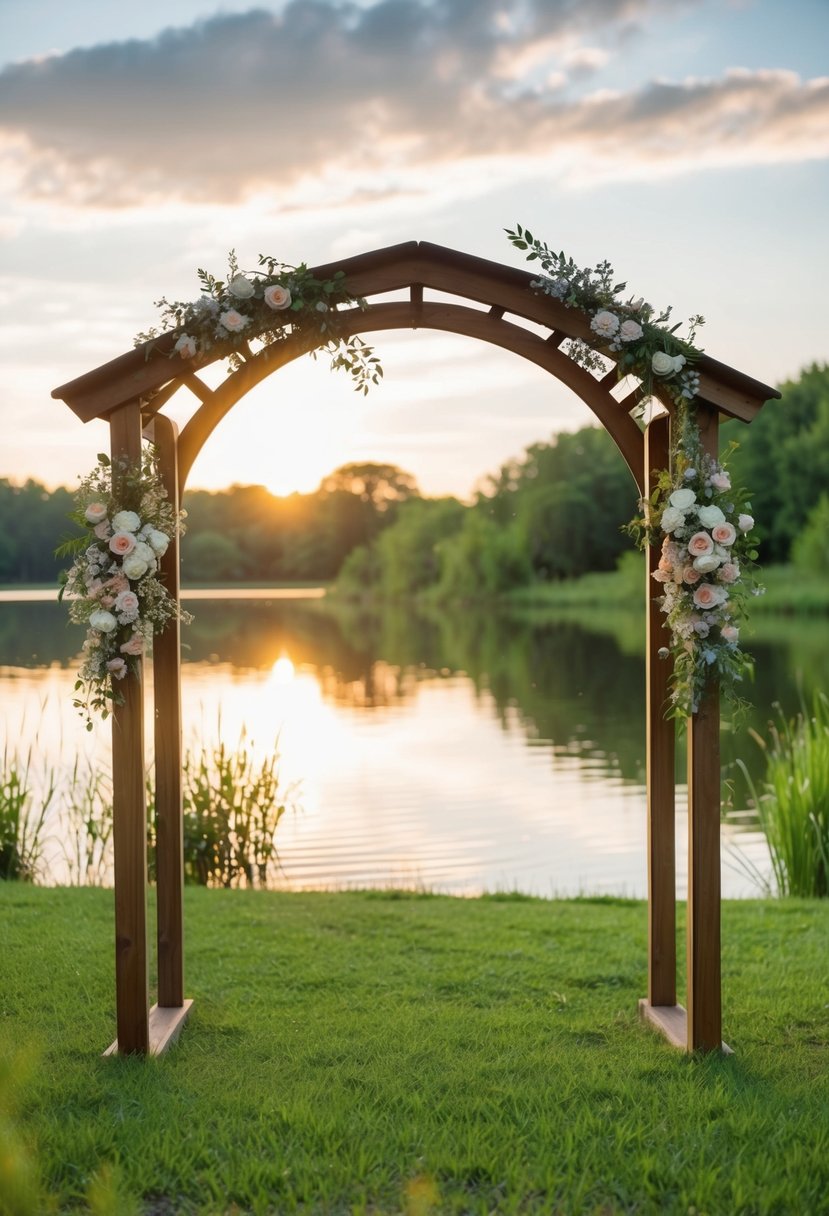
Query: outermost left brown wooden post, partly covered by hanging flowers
point(129, 812)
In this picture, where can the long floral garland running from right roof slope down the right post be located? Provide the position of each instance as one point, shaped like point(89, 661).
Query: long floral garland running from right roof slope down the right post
point(703, 525)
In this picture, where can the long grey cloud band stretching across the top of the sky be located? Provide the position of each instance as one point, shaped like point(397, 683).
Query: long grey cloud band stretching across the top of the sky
point(325, 99)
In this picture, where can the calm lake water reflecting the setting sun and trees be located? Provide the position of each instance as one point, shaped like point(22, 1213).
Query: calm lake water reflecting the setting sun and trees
point(456, 751)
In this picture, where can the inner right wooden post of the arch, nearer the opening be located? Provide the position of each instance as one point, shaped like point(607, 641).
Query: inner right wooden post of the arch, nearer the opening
point(661, 761)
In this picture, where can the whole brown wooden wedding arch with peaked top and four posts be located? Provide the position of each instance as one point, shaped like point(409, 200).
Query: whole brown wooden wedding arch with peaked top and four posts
point(438, 289)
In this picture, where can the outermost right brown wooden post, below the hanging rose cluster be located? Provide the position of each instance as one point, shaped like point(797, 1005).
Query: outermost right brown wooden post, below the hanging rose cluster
point(704, 880)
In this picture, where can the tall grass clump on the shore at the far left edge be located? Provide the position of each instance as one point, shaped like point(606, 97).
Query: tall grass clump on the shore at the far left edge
point(22, 821)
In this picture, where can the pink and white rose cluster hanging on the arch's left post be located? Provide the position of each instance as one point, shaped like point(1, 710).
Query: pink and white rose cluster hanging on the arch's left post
point(114, 581)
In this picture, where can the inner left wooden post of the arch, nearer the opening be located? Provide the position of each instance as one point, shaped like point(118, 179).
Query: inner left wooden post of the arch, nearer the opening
point(167, 673)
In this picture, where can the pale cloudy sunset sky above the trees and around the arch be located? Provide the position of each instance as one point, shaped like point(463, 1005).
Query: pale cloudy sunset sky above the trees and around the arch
point(687, 142)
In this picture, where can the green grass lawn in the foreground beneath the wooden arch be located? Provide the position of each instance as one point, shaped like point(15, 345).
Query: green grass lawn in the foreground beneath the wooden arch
point(373, 1054)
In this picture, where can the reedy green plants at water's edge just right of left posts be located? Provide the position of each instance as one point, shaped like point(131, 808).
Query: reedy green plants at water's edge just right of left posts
point(233, 807)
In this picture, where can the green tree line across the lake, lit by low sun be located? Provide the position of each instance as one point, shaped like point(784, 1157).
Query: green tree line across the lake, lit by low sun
point(555, 513)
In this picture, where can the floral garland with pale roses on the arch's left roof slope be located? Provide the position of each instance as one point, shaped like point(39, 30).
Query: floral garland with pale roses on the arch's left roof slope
point(267, 307)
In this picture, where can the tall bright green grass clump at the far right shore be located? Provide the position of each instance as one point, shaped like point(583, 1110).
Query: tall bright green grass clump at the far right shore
point(794, 801)
